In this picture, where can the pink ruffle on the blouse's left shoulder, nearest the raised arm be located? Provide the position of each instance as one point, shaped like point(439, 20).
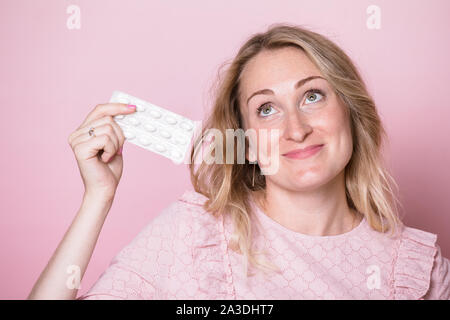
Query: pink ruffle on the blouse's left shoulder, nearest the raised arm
point(211, 260)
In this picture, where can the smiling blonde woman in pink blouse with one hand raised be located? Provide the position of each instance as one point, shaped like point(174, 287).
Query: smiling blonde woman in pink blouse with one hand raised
point(323, 226)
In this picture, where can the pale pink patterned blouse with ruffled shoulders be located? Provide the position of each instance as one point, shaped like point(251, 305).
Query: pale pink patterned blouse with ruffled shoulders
point(183, 254)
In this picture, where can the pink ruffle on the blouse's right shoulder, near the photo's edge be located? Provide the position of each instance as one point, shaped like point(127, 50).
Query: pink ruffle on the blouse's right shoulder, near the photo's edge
point(414, 263)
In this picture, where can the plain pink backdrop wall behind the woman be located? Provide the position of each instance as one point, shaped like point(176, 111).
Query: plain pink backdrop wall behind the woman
point(168, 52)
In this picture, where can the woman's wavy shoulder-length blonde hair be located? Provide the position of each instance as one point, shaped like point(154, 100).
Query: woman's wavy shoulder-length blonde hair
point(228, 187)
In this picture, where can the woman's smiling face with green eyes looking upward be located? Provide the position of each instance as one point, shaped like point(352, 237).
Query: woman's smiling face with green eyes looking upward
point(303, 118)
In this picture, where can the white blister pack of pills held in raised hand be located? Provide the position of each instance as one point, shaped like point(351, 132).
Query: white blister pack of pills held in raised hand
point(155, 128)
